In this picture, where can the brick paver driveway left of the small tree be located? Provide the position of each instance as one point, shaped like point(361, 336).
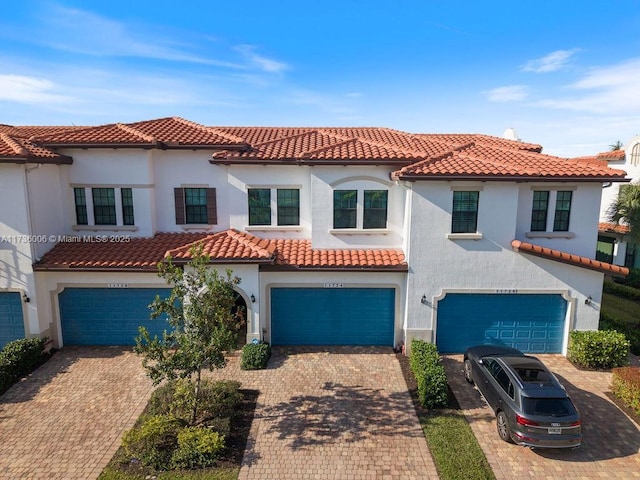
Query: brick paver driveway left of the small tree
point(66, 420)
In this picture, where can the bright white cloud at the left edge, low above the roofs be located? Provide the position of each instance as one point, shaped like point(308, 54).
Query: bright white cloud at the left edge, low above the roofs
point(26, 89)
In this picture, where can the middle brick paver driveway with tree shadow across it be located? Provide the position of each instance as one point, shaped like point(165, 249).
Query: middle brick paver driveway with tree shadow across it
point(338, 413)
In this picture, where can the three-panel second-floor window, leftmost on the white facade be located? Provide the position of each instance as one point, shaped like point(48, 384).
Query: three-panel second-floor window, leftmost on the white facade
point(104, 206)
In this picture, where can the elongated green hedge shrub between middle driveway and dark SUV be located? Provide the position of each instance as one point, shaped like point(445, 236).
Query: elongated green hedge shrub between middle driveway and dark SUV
point(429, 373)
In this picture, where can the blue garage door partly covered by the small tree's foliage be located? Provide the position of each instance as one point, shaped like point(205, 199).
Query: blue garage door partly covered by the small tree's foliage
point(107, 316)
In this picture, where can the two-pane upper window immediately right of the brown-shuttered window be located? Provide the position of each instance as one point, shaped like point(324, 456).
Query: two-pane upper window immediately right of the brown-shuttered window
point(285, 211)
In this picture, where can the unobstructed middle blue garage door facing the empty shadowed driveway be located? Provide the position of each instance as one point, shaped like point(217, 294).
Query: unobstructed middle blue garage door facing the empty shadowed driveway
point(332, 316)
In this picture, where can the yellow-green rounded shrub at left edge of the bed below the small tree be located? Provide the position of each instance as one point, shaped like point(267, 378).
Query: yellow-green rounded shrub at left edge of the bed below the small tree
point(153, 441)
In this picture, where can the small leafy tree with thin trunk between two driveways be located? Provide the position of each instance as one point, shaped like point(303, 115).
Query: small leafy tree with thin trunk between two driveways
point(200, 310)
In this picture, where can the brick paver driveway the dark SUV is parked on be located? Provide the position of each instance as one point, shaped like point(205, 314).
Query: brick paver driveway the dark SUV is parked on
point(611, 446)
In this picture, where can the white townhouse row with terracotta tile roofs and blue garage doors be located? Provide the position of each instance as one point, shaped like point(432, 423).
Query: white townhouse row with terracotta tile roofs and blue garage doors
point(351, 236)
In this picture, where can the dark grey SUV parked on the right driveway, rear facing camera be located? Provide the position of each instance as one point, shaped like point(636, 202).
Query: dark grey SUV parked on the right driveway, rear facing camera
point(532, 408)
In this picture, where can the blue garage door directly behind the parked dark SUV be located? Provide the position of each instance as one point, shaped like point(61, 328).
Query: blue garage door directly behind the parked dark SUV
point(531, 323)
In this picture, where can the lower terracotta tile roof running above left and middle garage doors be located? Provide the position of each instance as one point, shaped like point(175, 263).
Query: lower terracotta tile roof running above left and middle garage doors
point(230, 246)
